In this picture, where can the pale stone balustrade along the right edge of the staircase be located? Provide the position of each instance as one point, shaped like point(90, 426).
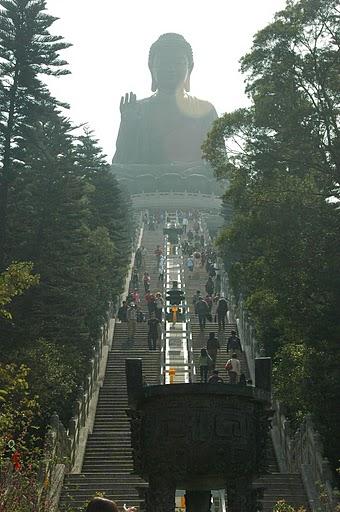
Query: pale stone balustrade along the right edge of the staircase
point(300, 451)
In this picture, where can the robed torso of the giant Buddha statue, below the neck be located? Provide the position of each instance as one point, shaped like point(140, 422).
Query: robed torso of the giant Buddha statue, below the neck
point(162, 129)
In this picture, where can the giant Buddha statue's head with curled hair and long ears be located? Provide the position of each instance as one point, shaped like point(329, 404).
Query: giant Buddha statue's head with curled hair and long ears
point(170, 62)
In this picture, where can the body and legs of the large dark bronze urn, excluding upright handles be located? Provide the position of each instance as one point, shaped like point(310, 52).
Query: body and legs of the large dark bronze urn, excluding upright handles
point(199, 437)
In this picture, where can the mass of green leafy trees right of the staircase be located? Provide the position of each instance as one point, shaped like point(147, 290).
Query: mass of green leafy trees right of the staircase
point(281, 244)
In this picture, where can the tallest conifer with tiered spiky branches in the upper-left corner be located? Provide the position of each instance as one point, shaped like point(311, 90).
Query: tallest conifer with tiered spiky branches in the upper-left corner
point(27, 51)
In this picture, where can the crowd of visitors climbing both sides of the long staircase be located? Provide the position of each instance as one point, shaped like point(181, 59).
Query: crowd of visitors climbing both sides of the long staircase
point(211, 306)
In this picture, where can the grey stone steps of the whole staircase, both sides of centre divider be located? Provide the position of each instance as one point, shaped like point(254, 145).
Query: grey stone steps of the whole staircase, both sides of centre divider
point(107, 466)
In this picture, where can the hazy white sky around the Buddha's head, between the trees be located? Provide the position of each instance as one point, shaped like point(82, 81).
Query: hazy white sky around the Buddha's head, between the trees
point(111, 41)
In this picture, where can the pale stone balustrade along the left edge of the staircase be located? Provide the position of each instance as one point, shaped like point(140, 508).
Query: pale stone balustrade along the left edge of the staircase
point(61, 445)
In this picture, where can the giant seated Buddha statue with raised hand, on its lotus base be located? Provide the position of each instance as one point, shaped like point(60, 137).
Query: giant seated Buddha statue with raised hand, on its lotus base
point(160, 137)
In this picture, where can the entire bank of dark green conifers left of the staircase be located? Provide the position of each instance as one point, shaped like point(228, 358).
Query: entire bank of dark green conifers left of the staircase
point(61, 209)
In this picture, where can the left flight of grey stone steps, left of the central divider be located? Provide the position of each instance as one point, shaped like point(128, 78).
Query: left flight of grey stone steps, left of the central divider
point(107, 464)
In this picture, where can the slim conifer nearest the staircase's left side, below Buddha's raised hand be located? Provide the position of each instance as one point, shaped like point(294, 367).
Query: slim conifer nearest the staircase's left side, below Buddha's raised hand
point(111, 225)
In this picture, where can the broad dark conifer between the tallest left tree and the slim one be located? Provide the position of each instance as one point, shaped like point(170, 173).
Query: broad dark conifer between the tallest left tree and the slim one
point(49, 225)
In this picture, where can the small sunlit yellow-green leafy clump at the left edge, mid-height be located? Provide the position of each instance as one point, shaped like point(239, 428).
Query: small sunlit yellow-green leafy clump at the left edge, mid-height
point(14, 281)
